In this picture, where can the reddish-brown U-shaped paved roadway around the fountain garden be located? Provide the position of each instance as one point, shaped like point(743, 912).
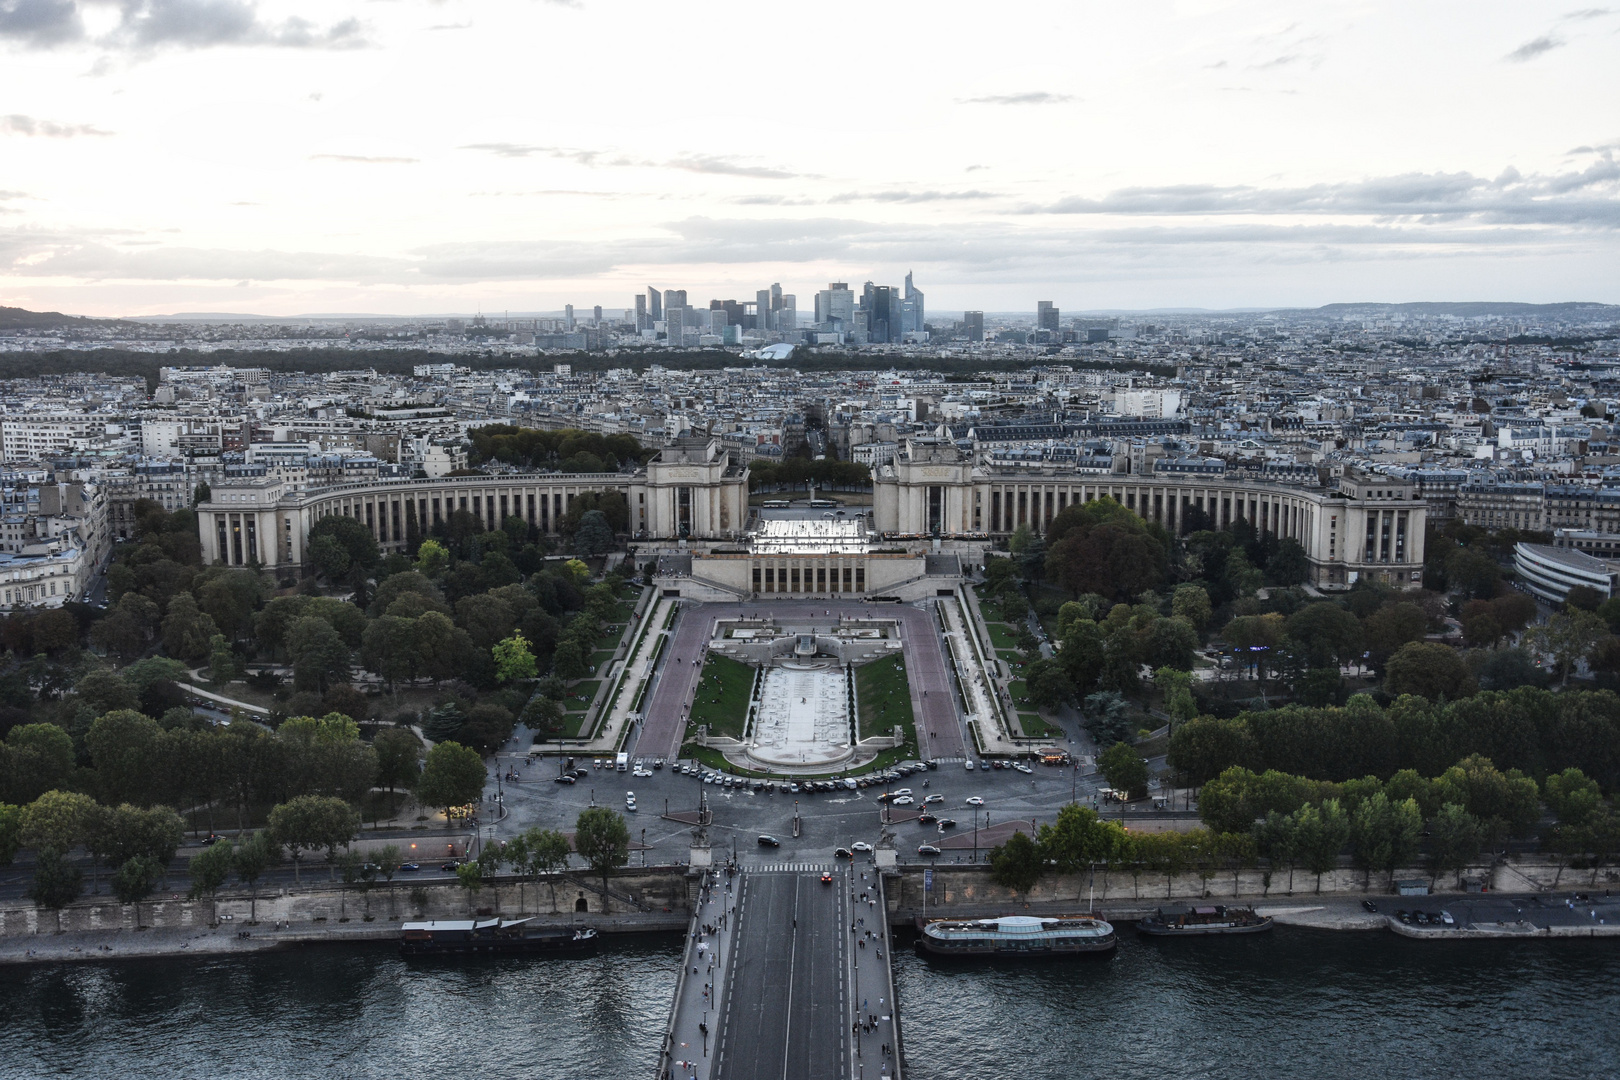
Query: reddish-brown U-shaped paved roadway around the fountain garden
point(927, 671)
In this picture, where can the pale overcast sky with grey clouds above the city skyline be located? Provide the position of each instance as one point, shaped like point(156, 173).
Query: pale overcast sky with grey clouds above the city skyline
point(453, 156)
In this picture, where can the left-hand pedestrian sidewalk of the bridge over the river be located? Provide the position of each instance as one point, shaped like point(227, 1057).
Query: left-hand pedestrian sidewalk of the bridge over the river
point(691, 1047)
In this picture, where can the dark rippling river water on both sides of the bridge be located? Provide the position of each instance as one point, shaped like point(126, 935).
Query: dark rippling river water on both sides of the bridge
point(1294, 1003)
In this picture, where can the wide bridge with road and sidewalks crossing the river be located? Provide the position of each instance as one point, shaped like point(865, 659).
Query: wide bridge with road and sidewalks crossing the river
point(787, 977)
